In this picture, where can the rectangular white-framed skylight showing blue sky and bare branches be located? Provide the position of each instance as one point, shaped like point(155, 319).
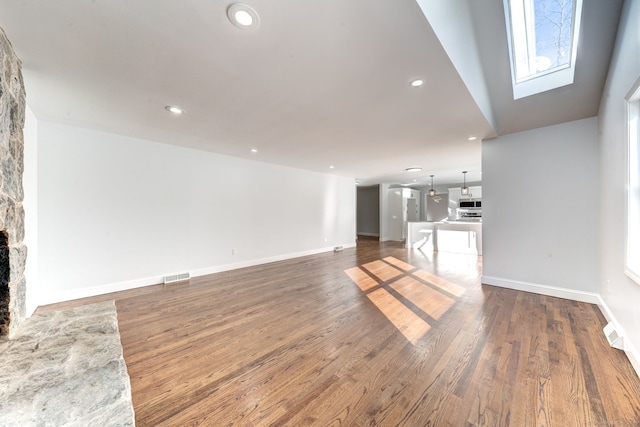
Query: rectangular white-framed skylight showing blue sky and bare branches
point(543, 39)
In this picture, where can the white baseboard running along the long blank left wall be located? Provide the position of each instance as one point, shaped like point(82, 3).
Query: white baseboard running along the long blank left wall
point(69, 295)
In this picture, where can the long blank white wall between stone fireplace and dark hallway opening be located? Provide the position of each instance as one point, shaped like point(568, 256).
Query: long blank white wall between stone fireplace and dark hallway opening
point(117, 212)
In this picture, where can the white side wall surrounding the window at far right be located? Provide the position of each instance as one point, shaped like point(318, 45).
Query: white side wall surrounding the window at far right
point(621, 295)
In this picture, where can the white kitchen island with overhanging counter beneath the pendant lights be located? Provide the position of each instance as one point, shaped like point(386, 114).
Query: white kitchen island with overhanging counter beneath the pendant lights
point(446, 236)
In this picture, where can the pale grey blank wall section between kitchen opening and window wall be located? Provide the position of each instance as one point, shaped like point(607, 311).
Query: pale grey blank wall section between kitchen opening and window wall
point(540, 210)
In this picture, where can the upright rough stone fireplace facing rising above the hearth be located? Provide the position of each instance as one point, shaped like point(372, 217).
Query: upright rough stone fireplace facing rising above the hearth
point(12, 110)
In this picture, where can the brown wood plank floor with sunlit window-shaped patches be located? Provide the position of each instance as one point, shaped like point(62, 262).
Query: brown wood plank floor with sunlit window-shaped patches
point(377, 335)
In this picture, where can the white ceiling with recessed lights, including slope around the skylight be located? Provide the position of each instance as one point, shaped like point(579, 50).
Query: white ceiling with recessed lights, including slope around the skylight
point(317, 84)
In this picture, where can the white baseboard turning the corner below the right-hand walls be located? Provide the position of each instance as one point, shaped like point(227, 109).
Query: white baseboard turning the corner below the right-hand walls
point(571, 294)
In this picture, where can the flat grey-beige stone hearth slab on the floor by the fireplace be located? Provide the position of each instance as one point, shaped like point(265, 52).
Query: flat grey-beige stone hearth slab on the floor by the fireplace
point(66, 368)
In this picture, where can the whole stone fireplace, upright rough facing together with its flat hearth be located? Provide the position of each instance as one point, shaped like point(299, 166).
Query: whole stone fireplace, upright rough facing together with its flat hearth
point(61, 367)
